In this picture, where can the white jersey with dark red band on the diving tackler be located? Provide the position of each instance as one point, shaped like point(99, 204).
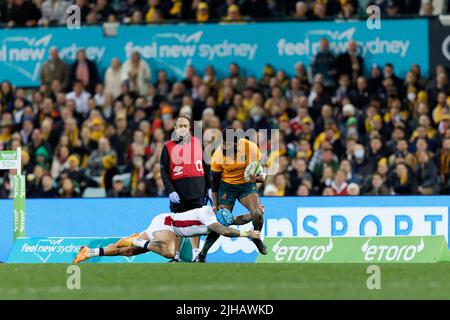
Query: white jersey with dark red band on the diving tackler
point(193, 222)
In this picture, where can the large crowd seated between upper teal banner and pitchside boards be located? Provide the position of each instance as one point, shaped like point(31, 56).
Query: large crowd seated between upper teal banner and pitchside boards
point(340, 132)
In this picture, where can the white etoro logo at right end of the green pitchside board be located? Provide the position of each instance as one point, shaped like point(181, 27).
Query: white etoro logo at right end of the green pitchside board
point(391, 253)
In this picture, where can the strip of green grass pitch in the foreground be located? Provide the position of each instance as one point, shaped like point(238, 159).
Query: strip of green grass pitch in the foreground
point(225, 281)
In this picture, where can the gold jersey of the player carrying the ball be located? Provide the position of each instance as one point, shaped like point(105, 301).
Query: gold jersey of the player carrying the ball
point(233, 169)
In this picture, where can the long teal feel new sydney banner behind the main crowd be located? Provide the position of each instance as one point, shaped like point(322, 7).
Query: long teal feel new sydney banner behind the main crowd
point(173, 47)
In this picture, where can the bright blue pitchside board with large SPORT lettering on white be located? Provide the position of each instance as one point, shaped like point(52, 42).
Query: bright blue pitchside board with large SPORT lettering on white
point(284, 217)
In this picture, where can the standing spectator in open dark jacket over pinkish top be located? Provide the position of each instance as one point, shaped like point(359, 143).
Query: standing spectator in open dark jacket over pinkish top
point(85, 71)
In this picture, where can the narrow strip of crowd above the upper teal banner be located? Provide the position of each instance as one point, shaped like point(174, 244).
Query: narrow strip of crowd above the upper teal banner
point(53, 12)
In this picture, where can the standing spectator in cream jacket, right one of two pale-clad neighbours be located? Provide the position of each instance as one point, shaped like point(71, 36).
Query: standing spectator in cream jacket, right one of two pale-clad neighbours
point(137, 73)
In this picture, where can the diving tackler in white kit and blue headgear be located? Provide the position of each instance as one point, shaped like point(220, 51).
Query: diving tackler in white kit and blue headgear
point(167, 229)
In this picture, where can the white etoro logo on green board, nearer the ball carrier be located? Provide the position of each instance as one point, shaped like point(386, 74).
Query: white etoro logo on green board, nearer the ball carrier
point(301, 253)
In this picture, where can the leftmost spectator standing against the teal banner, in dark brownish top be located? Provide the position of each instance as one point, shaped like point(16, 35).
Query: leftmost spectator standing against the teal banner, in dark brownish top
point(54, 69)
